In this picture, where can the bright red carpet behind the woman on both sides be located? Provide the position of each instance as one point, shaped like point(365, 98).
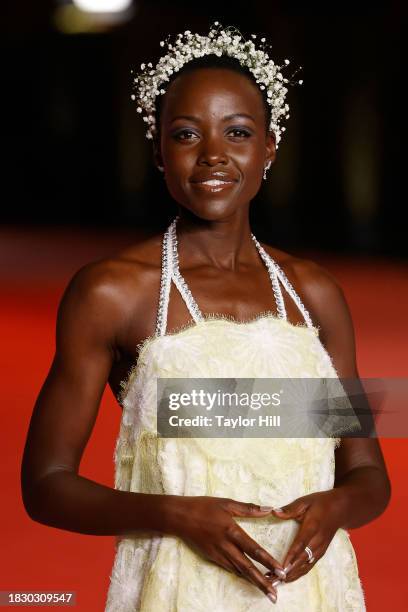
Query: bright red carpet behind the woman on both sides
point(35, 557)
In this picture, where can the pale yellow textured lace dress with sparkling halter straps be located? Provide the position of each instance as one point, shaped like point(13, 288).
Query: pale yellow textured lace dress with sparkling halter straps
point(160, 573)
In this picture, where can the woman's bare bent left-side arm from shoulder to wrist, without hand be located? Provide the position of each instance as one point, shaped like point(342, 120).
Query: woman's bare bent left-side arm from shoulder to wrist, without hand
point(64, 415)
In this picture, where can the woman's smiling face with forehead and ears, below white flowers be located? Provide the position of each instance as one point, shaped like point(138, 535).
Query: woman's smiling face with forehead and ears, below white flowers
point(213, 143)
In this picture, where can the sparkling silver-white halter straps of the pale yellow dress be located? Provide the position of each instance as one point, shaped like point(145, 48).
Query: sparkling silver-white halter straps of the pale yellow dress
point(170, 272)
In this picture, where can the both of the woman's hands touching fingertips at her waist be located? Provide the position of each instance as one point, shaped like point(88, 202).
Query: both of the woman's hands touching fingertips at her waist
point(207, 524)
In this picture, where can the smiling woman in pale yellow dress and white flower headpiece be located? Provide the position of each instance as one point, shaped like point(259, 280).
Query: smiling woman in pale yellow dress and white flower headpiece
point(206, 524)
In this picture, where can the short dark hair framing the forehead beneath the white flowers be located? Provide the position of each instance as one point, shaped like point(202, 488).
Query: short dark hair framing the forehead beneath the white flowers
point(214, 61)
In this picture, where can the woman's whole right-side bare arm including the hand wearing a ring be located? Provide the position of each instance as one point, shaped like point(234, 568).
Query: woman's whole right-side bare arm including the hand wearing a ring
point(361, 489)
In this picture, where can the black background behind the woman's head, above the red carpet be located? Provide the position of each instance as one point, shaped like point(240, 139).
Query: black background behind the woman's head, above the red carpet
point(76, 154)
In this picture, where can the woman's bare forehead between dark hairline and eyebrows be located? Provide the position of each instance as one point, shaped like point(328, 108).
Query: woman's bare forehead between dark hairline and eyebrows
point(213, 91)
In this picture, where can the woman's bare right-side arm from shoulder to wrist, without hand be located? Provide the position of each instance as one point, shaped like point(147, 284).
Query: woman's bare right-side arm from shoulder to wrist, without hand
point(361, 478)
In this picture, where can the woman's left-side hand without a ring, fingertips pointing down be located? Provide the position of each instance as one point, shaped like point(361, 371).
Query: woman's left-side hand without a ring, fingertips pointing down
point(207, 524)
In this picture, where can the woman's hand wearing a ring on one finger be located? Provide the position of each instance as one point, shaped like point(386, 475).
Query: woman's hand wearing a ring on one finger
point(319, 515)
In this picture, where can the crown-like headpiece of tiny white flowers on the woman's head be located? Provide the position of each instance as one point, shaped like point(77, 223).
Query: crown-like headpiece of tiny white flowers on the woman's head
point(229, 41)
